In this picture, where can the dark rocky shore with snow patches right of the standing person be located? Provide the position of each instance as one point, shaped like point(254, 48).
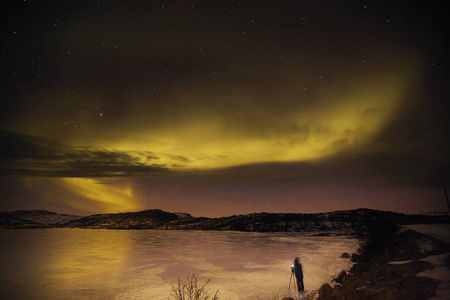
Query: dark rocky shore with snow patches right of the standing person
point(401, 268)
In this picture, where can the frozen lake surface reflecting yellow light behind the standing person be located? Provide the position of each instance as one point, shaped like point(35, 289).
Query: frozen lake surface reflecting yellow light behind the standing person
point(143, 264)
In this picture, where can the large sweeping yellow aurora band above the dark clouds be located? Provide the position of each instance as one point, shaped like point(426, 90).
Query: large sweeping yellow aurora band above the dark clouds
point(339, 122)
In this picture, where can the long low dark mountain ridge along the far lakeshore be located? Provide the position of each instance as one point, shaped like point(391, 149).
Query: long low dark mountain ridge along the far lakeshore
point(257, 222)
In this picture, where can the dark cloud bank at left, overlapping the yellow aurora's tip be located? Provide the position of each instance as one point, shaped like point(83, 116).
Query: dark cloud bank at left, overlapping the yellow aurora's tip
point(25, 155)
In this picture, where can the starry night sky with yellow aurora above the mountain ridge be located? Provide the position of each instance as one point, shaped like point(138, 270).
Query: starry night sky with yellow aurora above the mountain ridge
point(224, 107)
